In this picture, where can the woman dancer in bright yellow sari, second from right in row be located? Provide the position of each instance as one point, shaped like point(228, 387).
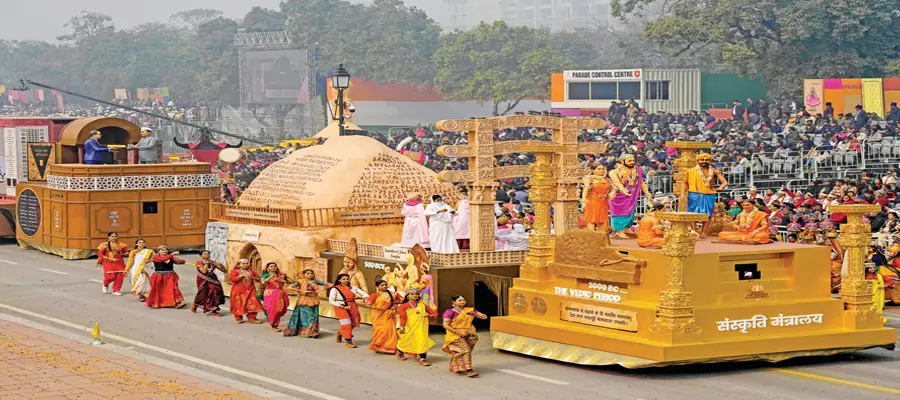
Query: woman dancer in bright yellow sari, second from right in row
point(414, 340)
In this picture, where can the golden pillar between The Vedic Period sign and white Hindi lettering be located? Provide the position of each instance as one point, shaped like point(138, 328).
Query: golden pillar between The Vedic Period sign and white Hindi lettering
point(675, 311)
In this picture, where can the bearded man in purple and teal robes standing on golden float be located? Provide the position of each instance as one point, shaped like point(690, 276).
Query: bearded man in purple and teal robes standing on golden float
point(628, 184)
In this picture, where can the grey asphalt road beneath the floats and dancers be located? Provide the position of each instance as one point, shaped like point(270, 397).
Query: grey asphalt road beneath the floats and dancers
point(66, 294)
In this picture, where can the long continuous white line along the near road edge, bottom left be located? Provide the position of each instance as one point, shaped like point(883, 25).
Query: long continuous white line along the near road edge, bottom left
point(185, 357)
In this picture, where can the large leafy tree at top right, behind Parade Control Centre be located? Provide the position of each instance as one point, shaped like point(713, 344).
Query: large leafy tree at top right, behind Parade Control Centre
point(780, 41)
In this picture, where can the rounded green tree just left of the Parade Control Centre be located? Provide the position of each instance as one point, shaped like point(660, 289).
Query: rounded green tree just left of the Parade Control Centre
point(497, 64)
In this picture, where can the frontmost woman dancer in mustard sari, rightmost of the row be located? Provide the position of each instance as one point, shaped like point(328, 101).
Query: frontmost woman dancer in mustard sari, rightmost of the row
point(461, 338)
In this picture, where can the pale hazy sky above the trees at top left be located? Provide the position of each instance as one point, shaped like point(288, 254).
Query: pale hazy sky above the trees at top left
point(44, 19)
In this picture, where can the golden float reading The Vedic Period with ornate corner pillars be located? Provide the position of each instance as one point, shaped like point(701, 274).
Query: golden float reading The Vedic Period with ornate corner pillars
point(584, 300)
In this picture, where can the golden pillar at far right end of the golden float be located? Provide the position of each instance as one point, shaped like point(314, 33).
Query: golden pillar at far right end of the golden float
point(856, 237)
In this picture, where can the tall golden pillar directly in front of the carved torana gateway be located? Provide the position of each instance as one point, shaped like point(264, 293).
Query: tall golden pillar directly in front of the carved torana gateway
point(542, 193)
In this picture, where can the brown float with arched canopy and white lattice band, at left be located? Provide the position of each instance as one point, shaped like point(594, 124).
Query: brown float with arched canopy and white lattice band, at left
point(67, 207)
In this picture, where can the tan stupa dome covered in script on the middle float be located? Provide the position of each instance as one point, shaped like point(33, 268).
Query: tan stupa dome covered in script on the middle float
point(354, 172)
